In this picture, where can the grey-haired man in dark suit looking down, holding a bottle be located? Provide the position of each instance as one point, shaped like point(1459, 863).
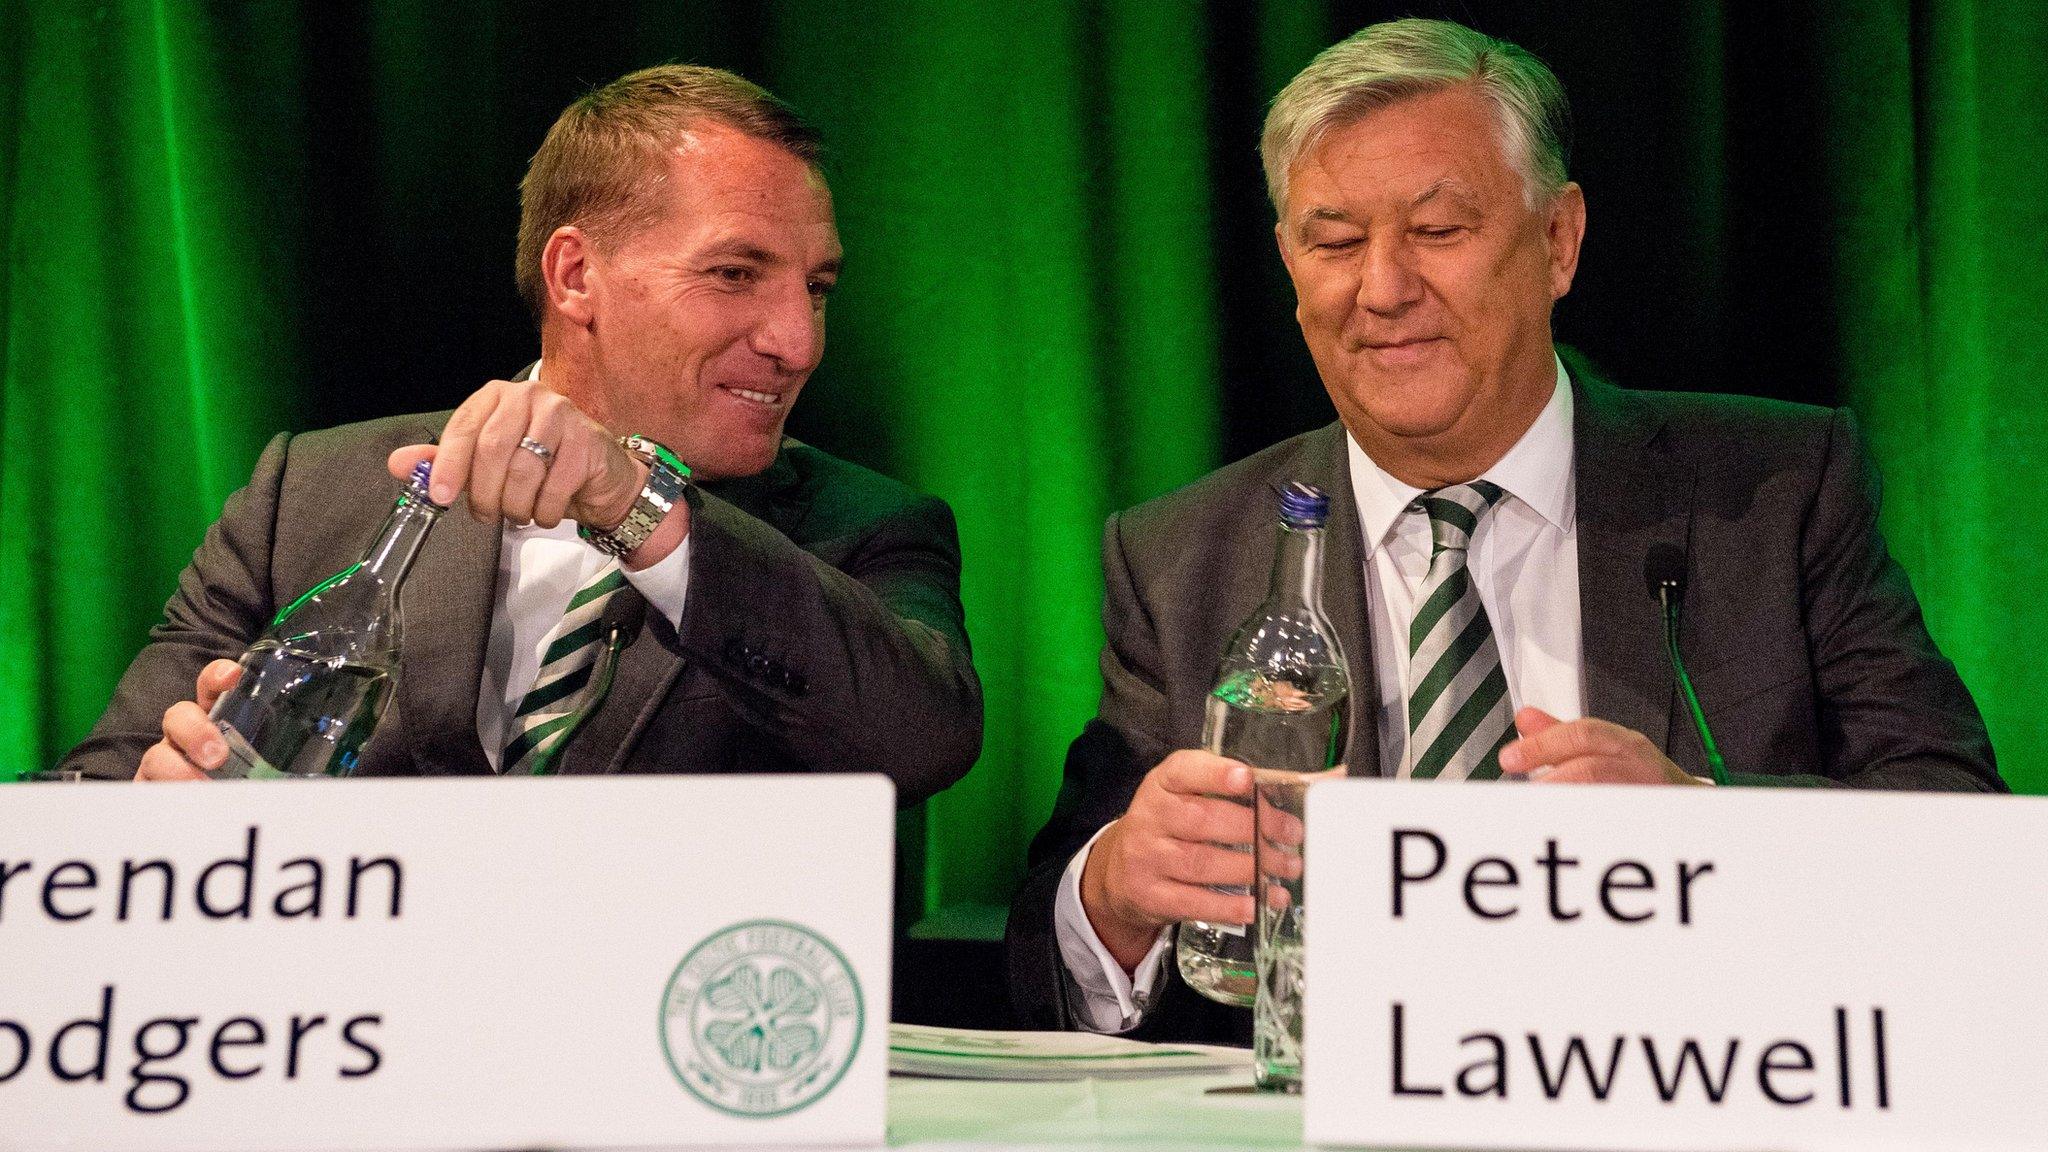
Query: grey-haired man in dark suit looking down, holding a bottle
point(1494, 513)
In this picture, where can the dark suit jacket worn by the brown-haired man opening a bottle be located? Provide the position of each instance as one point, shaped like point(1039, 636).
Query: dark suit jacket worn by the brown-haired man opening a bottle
point(822, 630)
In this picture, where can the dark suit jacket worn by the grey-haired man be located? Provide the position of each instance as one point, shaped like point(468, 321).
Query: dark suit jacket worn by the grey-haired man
point(1801, 634)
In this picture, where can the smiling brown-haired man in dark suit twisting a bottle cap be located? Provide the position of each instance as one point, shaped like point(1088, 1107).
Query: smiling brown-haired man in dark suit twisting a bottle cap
point(642, 573)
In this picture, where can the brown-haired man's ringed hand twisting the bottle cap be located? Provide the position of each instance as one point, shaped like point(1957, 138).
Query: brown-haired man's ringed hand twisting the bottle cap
point(587, 479)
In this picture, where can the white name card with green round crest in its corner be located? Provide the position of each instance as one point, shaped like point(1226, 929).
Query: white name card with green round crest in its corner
point(445, 964)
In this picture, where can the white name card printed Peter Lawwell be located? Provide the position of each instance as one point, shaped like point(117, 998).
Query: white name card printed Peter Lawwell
point(1644, 969)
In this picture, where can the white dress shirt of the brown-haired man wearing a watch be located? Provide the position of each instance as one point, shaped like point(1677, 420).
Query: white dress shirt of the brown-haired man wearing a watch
point(540, 573)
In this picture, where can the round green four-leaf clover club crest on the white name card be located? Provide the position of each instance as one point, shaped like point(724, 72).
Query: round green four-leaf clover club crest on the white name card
point(761, 1020)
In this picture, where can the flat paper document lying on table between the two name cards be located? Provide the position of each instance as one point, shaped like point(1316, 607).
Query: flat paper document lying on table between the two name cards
point(972, 1055)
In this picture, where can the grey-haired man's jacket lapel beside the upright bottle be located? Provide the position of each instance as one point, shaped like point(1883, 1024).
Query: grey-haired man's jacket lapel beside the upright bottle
point(1326, 462)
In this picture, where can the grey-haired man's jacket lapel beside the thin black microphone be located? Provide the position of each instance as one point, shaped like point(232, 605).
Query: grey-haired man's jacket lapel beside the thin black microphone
point(1631, 495)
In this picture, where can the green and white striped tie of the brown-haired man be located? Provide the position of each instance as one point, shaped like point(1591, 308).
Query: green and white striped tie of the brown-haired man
point(564, 690)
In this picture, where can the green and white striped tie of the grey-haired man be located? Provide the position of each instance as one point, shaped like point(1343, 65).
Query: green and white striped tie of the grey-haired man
point(1459, 710)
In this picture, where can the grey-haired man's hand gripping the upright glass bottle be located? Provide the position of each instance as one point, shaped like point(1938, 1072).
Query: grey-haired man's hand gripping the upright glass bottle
point(1158, 862)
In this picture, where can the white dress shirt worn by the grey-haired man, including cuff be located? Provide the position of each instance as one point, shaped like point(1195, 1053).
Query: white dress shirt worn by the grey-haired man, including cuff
point(1525, 561)
